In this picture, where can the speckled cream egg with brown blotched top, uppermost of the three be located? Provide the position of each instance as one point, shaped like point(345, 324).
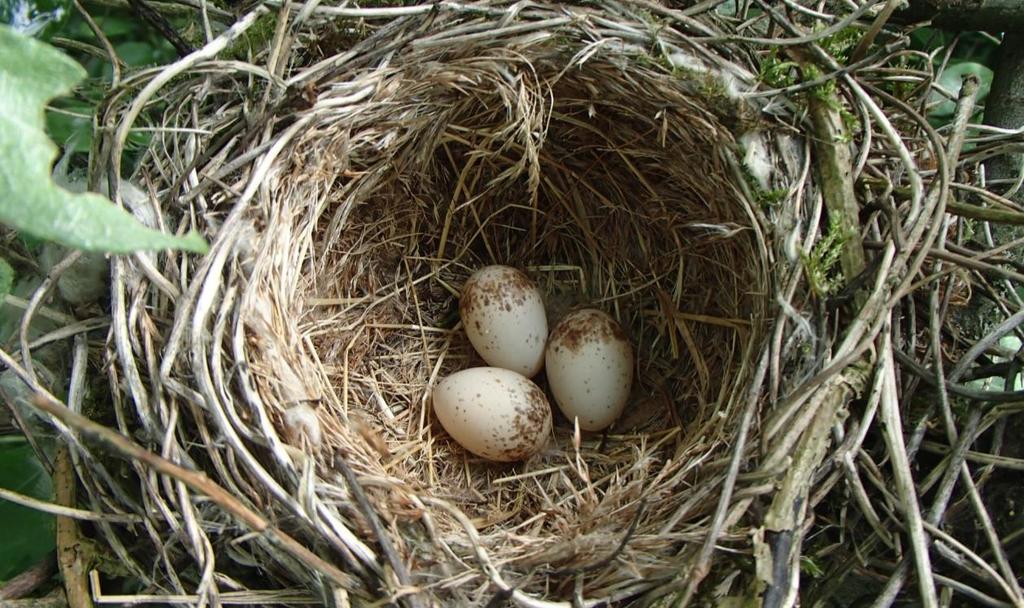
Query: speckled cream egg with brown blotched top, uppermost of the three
point(504, 317)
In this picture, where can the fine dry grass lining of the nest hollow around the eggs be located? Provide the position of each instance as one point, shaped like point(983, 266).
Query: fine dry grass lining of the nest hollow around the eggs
point(613, 187)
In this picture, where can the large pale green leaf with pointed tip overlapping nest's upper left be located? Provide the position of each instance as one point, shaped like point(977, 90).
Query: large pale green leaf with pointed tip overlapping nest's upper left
point(31, 74)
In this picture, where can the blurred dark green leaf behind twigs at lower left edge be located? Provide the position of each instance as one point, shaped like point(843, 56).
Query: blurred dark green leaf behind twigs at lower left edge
point(27, 534)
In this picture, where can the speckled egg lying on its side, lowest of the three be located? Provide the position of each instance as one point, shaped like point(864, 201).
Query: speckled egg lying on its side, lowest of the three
point(494, 413)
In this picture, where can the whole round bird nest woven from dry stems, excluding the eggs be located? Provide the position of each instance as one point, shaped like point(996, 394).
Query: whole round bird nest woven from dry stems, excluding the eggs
point(352, 178)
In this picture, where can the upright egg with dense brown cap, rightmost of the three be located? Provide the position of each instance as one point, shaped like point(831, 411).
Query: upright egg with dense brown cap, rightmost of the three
point(589, 362)
